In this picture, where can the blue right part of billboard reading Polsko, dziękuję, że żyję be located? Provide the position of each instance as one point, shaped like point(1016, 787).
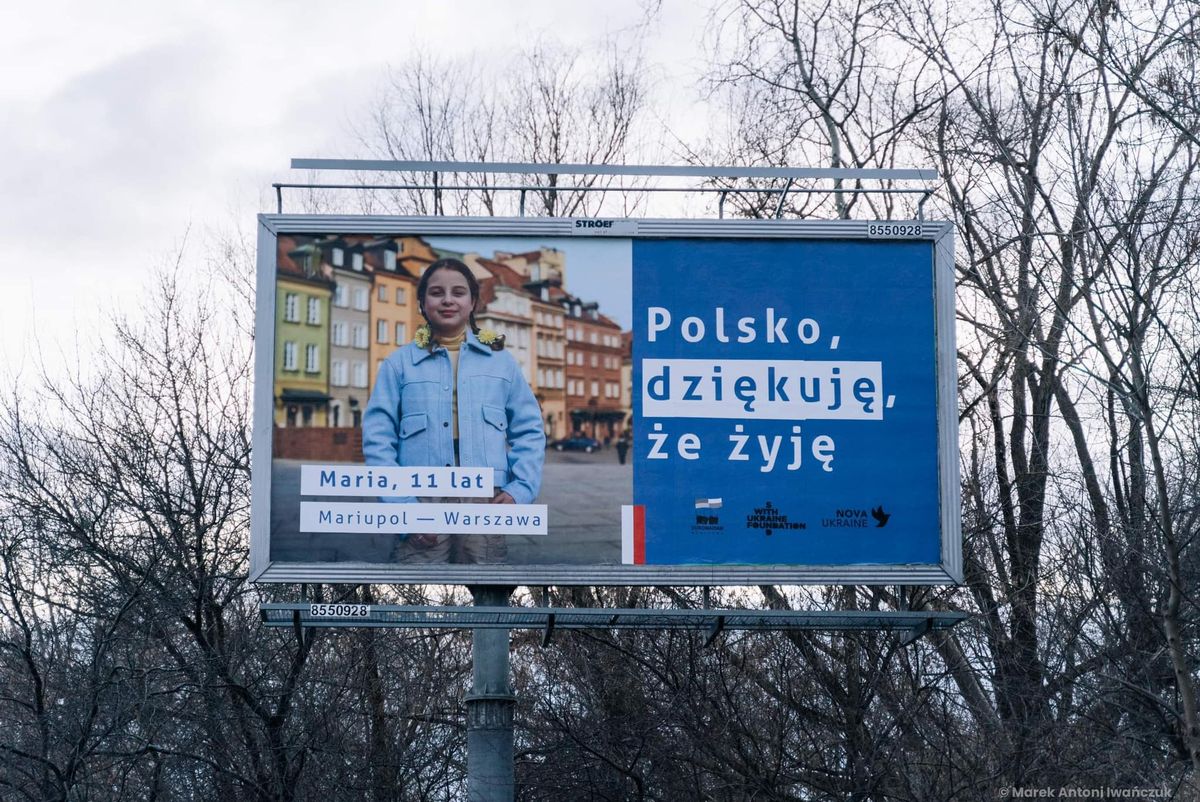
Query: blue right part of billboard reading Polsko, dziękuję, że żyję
point(877, 500)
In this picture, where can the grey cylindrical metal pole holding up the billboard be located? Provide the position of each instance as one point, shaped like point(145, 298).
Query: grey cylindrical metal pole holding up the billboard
point(490, 707)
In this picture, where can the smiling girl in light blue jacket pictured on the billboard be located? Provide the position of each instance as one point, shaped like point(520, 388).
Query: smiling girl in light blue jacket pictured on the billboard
point(454, 397)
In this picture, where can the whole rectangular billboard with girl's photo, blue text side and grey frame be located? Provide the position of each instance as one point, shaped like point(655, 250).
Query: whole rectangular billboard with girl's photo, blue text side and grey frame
point(631, 402)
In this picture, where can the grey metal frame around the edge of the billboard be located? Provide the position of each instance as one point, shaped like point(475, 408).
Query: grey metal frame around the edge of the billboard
point(263, 570)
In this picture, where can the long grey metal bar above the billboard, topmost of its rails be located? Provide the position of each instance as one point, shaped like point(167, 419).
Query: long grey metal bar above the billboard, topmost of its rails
point(685, 171)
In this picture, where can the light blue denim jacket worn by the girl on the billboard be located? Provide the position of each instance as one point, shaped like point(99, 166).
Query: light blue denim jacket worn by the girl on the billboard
point(407, 421)
